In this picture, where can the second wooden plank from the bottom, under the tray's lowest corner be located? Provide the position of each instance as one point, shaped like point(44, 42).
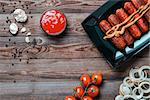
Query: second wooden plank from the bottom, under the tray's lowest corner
point(44, 69)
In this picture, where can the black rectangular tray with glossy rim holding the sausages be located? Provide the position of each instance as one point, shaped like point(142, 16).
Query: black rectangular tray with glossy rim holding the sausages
point(114, 57)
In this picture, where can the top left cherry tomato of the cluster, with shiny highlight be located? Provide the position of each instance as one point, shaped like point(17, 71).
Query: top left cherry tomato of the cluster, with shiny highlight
point(85, 79)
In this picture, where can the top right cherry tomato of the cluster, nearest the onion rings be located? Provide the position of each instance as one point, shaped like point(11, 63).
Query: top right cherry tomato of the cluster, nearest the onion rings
point(97, 78)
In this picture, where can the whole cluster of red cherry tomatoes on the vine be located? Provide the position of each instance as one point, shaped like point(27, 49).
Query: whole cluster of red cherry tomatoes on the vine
point(88, 89)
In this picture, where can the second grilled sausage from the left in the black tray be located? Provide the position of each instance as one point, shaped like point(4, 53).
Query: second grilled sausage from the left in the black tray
point(114, 20)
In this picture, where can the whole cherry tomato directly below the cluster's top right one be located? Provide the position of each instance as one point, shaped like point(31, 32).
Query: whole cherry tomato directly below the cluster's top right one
point(93, 91)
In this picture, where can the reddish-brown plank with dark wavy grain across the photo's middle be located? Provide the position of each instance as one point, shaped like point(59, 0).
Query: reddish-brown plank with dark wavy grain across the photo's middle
point(54, 51)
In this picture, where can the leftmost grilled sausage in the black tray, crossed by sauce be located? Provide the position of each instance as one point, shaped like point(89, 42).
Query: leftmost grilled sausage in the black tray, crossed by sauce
point(117, 41)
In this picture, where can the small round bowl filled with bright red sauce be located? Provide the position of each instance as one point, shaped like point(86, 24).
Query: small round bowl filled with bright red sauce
point(53, 22)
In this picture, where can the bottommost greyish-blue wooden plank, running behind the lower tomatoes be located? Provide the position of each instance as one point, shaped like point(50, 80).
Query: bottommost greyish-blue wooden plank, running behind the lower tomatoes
point(51, 90)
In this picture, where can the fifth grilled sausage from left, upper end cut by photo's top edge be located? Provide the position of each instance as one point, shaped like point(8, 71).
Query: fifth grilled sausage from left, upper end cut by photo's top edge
point(138, 4)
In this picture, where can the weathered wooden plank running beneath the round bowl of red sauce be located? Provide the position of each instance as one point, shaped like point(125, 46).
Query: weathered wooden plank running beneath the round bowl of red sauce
point(73, 28)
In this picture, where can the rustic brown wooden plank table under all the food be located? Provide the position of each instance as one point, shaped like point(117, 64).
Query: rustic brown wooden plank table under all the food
point(50, 71)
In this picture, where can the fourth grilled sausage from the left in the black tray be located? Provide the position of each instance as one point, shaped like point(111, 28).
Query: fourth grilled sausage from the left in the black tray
point(142, 23)
